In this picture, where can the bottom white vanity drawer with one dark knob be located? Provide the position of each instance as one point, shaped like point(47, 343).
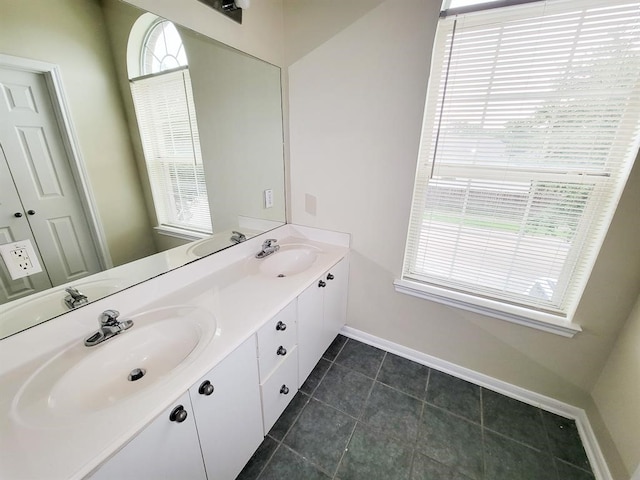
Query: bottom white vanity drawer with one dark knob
point(279, 389)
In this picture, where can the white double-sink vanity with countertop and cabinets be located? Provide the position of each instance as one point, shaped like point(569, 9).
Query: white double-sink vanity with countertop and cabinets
point(216, 351)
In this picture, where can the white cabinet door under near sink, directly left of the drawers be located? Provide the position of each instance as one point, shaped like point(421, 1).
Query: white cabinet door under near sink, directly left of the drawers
point(226, 404)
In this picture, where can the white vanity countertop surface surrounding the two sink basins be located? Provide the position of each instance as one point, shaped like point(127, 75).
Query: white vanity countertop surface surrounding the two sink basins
point(224, 284)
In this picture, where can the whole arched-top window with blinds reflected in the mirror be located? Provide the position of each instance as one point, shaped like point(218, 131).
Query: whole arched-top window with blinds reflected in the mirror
point(163, 100)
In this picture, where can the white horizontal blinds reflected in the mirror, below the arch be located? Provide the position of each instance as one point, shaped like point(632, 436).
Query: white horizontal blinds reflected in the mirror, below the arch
point(166, 118)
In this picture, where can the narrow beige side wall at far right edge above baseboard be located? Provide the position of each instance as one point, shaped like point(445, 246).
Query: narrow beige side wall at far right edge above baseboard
point(617, 392)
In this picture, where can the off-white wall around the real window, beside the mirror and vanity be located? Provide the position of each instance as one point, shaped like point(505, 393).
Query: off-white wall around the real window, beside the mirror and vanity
point(356, 102)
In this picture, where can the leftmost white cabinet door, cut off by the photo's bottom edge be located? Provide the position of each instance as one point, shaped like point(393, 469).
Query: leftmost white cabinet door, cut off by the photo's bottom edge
point(165, 449)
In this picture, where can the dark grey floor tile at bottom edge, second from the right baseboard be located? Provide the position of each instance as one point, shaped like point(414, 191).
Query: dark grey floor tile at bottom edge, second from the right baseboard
point(508, 460)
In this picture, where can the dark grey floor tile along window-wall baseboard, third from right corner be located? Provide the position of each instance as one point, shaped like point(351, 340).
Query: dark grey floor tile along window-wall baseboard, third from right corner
point(454, 394)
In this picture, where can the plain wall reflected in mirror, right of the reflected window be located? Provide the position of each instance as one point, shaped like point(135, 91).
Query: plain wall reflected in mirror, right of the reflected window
point(239, 113)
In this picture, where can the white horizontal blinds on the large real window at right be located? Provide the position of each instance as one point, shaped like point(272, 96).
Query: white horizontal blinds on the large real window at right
point(531, 127)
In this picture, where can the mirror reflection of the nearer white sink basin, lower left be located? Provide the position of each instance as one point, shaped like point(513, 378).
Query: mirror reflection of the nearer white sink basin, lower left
point(25, 313)
